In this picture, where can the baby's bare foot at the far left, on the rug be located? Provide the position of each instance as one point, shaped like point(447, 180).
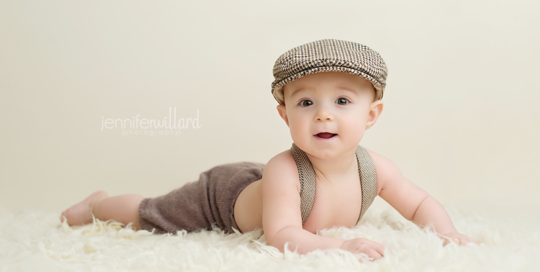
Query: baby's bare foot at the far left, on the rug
point(81, 213)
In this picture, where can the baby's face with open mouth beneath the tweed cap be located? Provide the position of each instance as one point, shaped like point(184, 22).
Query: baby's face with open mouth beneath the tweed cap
point(327, 113)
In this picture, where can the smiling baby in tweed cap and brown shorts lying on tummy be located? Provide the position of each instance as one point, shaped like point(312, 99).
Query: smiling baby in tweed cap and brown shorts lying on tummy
point(329, 93)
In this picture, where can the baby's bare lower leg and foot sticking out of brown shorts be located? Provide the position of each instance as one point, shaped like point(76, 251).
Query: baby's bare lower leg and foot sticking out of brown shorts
point(121, 208)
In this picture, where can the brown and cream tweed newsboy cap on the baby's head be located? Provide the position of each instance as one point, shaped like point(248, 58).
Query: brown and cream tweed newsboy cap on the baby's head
point(329, 55)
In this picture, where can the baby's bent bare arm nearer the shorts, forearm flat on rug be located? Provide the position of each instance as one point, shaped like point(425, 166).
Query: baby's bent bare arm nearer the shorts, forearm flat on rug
point(282, 220)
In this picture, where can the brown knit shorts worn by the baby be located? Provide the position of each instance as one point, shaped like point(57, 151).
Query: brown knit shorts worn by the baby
point(199, 204)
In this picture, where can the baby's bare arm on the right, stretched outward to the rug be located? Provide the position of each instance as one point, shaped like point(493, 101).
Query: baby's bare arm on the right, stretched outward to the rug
point(411, 201)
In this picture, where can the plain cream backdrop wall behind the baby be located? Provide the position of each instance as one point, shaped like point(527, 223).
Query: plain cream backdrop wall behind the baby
point(461, 105)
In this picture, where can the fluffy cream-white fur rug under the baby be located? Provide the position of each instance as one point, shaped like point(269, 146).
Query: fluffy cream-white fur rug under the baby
point(35, 241)
